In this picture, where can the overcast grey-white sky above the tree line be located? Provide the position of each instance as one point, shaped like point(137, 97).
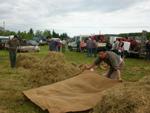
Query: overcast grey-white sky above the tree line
point(76, 17)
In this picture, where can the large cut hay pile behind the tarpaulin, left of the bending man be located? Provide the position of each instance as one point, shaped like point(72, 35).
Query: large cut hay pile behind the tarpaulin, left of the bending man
point(50, 69)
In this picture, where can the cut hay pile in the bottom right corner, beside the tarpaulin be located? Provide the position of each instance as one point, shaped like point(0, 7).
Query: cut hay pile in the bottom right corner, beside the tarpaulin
point(129, 98)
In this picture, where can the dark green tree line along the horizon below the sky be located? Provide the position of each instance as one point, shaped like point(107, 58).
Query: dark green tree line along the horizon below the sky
point(49, 34)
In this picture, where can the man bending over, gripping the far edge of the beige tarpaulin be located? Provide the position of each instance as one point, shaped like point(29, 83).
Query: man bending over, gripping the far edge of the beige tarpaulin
point(113, 60)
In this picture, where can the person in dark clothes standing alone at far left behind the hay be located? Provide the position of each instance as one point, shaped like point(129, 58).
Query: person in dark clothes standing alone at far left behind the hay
point(13, 44)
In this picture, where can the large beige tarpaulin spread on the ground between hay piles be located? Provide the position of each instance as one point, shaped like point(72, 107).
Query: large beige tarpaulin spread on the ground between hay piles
point(75, 94)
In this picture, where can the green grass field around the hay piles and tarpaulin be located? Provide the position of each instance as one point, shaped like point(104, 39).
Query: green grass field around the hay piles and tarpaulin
point(11, 99)
